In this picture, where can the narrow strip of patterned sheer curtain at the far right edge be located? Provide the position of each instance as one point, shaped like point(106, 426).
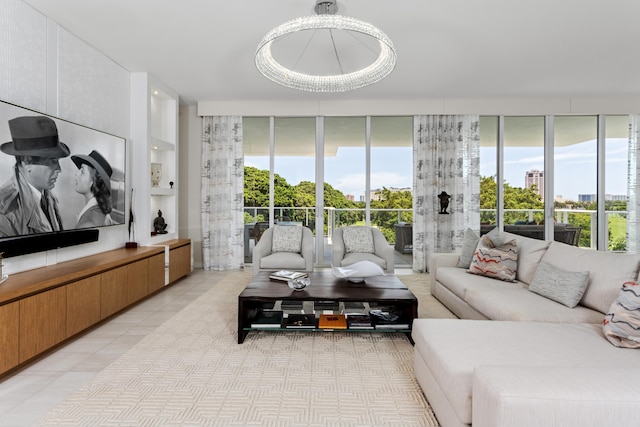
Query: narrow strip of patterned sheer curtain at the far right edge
point(633, 206)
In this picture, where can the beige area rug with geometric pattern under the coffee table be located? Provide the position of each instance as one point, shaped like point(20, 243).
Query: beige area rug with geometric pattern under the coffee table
point(191, 371)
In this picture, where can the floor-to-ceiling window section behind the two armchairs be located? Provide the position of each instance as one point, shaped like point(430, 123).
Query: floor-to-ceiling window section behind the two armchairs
point(366, 180)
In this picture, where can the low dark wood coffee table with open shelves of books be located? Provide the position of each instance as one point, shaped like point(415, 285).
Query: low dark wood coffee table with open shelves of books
point(384, 290)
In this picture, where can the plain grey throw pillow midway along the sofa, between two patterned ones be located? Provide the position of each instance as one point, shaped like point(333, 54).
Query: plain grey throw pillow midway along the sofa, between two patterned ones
point(563, 286)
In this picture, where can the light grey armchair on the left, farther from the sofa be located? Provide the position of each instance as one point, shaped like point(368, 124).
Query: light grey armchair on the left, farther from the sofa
point(284, 247)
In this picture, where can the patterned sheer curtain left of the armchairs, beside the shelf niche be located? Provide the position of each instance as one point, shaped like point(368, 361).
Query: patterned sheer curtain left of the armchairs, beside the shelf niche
point(222, 193)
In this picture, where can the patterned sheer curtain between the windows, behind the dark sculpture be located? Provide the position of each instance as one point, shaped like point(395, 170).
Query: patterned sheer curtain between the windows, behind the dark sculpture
point(446, 156)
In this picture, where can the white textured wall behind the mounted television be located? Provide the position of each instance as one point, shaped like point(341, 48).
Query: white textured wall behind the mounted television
point(45, 68)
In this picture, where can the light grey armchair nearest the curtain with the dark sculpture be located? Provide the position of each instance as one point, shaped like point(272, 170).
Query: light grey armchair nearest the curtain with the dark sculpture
point(362, 243)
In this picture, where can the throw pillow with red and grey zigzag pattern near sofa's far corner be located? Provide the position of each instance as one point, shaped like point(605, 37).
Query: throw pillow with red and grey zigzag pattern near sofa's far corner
point(498, 262)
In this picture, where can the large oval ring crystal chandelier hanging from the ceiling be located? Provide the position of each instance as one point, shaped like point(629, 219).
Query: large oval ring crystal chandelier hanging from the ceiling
point(326, 19)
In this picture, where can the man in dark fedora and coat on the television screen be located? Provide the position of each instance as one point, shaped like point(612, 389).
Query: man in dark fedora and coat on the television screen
point(26, 203)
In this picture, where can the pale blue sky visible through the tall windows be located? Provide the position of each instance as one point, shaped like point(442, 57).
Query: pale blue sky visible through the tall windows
point(575, 167)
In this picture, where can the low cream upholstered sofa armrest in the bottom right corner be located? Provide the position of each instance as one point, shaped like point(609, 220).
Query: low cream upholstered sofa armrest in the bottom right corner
point(555, 396)
